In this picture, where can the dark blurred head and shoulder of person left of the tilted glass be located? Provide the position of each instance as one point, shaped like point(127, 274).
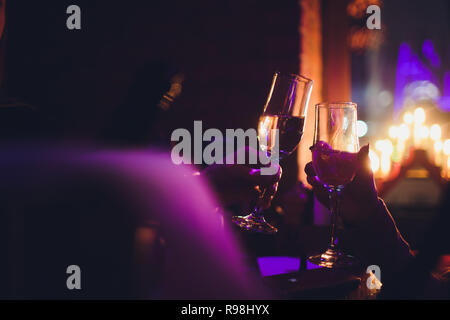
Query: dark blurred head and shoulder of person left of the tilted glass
point(138, 120)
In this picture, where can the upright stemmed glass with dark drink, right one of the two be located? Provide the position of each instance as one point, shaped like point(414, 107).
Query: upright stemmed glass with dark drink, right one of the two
point(334, 156)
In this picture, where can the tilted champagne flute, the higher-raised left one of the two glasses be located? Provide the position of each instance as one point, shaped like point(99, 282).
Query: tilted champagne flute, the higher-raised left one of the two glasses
point(280, 130)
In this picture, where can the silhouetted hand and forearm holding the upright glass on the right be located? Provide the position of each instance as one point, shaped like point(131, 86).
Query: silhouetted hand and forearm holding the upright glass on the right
point(370, 232)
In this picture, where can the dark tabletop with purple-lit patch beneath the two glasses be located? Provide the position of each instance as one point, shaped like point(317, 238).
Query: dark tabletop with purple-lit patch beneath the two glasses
point(307, 282)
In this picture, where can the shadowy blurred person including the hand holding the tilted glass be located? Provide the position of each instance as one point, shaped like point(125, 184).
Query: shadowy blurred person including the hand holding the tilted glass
point(143, 120)
